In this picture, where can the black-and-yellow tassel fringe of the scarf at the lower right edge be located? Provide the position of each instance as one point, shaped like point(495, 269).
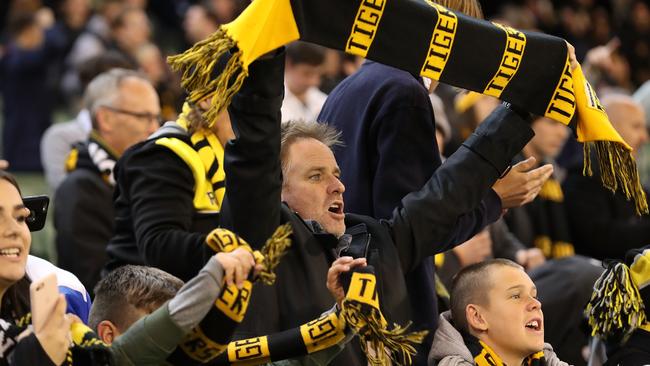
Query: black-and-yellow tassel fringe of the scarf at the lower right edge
point(616, 306)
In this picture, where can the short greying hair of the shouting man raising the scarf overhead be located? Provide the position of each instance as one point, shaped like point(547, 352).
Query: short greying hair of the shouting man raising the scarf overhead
point(295, 130)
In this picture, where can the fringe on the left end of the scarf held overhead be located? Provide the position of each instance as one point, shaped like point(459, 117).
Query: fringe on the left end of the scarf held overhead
point(197, 67)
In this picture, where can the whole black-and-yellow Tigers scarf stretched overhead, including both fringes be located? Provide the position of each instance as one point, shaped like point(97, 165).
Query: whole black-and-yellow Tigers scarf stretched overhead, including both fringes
point(527, 69)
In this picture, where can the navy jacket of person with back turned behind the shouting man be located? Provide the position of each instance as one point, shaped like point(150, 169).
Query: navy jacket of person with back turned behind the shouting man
point(388, 129)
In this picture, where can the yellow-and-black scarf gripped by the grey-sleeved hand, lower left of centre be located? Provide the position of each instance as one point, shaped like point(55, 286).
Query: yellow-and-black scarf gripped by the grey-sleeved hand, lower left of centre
point(210, 338)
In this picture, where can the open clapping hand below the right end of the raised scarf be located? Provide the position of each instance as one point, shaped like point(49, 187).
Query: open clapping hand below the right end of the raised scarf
point(522, 183)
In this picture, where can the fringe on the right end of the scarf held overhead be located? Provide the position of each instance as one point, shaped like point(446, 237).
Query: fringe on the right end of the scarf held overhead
point(617, 168)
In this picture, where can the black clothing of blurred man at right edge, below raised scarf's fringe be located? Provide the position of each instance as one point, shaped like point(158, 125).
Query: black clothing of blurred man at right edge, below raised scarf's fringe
point(597, 229)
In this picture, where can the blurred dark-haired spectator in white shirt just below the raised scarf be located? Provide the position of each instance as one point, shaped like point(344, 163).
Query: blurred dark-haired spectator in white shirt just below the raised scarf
point(302, 76)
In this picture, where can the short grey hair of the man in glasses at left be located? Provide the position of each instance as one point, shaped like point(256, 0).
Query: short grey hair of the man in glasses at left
point(103, 90)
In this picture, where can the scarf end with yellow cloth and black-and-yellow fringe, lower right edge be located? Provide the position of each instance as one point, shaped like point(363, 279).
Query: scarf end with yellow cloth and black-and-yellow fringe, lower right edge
point(621, 298)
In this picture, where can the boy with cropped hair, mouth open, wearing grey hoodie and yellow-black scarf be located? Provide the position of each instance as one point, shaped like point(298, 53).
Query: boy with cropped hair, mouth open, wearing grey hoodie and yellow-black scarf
point(495, 318)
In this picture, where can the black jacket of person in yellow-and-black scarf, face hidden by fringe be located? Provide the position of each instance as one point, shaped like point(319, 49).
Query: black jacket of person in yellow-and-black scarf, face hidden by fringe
point(156, 223)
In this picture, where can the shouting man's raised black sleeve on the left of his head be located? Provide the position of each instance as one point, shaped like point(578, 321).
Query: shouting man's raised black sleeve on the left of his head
point(252, 160)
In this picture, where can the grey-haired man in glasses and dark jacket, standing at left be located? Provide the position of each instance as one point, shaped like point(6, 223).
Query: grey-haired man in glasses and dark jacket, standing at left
point(124, 109)
